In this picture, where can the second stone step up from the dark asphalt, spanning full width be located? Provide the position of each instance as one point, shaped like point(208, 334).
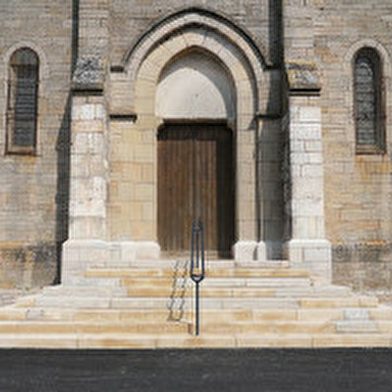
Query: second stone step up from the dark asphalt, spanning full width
point(207, 326)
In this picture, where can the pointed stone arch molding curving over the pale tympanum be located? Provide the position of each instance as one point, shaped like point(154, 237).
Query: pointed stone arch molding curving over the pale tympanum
point(188, 31)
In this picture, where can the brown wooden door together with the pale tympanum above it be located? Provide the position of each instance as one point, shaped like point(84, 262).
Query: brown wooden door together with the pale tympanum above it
point(196, 182)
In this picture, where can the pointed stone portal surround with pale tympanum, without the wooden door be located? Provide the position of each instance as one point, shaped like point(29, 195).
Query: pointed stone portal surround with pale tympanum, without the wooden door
point(208, 52)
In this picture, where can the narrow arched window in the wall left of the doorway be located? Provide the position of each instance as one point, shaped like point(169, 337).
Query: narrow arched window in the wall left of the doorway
point(22, 102)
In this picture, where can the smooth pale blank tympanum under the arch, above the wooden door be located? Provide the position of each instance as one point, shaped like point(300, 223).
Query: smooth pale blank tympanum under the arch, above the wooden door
point(195, 85)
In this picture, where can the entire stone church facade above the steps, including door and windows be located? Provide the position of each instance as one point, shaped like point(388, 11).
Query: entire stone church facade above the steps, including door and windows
point(122, 121)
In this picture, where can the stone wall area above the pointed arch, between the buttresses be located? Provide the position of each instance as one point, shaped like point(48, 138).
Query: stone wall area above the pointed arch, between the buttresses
point(130, 19)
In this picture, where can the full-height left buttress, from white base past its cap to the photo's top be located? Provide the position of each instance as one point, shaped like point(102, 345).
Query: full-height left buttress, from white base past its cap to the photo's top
point(86, 243)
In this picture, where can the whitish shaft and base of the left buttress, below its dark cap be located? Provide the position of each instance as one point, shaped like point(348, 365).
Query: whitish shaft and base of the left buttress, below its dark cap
point(88, 194)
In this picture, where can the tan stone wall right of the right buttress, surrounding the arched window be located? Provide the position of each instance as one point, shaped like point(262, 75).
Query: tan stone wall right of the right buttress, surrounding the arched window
point(357, 187)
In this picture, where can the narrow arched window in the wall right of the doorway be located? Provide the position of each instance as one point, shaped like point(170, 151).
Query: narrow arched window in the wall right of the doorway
point(369, 117)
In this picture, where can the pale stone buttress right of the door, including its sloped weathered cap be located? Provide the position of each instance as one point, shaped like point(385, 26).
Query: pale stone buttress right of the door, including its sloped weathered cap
point(307, 247)
